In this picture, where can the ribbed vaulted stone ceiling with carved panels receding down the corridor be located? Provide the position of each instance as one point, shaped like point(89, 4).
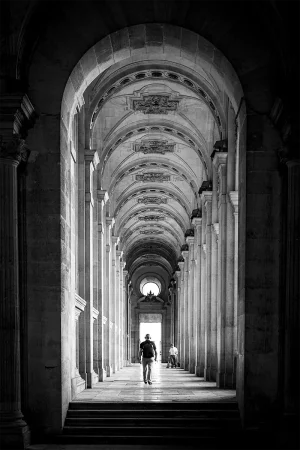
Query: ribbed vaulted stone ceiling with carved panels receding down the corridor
point(154, 124)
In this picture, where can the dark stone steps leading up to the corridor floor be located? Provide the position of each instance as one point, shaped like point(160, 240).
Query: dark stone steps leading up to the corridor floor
point(185, 424)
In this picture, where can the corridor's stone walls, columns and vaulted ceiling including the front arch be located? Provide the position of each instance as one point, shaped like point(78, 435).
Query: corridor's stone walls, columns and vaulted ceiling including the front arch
point(153, 197)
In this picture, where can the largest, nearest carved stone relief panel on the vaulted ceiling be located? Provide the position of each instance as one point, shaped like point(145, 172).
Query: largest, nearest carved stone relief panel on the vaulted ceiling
point(155, 104)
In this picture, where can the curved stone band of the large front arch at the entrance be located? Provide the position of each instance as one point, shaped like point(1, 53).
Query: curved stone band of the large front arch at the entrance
point(162, 45)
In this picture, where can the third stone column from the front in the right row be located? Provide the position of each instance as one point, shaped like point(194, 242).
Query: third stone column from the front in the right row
point(199, 330)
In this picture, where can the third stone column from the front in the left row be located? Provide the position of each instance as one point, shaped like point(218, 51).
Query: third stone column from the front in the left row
point(108, 306)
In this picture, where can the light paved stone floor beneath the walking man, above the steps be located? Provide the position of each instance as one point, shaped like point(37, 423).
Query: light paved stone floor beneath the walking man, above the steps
point(169, 385)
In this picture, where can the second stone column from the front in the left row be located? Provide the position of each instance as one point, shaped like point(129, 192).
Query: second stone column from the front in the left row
point(102, 198)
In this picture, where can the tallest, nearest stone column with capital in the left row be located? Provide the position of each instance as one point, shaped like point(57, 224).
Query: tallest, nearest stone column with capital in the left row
point(91, 161)
